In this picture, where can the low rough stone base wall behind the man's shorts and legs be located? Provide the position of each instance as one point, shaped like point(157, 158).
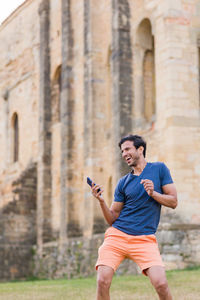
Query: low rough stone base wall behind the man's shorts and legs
point(179, 247)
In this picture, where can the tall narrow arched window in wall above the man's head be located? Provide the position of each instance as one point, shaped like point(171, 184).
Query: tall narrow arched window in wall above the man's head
point(145, 72)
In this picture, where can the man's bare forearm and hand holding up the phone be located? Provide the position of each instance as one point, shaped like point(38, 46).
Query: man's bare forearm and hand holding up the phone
point(110, 214)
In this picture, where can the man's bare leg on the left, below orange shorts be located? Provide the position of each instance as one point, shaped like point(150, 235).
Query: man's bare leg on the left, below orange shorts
point(104, 279)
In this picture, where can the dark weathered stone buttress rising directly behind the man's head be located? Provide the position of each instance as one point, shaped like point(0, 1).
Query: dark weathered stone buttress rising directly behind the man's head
point(122, 74)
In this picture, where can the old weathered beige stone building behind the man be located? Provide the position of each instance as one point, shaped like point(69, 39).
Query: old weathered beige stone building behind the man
point(76, 75)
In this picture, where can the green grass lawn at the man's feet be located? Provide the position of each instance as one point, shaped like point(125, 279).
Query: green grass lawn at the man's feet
point(184, 284)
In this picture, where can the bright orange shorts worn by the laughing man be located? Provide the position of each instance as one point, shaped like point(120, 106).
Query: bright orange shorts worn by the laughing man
point(117, 245)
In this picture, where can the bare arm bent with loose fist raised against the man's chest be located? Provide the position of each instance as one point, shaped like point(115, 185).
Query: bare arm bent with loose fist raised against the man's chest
point(169, 196)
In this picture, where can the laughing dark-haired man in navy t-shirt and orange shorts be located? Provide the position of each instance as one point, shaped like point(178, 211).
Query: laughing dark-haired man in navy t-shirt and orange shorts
point(134, 216)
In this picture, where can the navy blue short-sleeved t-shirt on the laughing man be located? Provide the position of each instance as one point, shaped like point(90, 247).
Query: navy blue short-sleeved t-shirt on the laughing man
point(140, 214)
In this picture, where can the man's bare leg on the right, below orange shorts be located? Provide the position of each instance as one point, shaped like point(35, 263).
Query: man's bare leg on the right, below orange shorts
point(159, 281)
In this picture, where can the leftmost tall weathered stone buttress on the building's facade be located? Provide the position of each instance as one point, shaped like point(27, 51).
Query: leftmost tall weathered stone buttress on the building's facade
point(44, 150)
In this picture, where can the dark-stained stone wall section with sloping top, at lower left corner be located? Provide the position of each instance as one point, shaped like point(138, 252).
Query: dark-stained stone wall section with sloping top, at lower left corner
point(18, 227)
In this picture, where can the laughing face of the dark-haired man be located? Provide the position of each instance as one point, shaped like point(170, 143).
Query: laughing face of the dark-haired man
point(130, 154)
